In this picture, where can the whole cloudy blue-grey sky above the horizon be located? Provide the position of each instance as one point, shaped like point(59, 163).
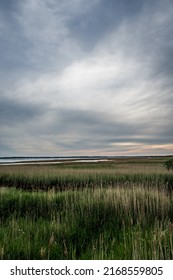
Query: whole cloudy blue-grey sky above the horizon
point(86, 77)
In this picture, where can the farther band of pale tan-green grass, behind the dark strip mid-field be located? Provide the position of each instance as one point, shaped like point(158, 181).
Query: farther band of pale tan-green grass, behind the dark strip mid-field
point(77, 176)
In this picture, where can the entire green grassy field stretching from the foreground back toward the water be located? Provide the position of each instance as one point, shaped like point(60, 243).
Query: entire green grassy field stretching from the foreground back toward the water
point(121, 209)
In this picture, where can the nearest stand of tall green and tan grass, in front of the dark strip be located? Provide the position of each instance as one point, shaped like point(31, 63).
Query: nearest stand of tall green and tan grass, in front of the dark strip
point(119, 223)
